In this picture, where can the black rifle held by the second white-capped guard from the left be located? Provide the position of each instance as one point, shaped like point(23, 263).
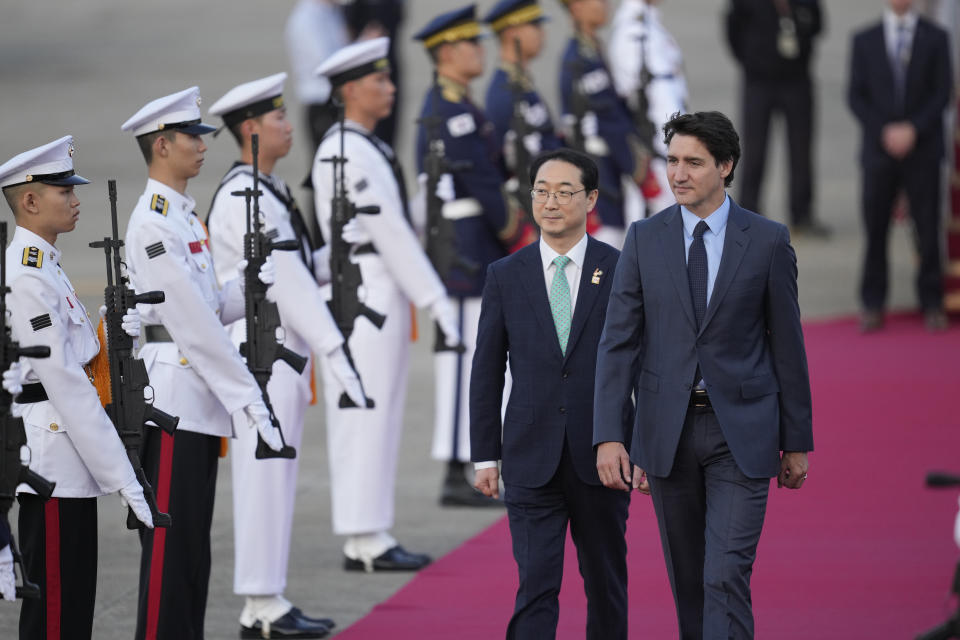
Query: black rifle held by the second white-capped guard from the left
point(262, 348)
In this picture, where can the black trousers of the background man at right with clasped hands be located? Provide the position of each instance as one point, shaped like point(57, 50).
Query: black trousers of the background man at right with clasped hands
point(881, 183)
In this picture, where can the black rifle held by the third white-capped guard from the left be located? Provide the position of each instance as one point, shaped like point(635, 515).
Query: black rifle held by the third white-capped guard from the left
point(345, 276)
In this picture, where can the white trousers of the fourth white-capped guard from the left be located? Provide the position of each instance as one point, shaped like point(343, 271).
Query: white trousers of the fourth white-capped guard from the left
point(363, 444)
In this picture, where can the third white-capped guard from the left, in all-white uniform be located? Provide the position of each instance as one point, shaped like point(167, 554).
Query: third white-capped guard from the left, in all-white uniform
point(264, 490)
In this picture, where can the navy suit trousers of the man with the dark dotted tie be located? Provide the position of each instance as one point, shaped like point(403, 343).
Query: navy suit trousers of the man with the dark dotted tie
point(710, 517)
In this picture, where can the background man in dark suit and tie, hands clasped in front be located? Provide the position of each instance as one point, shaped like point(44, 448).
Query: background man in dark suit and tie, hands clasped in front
point(900, 84)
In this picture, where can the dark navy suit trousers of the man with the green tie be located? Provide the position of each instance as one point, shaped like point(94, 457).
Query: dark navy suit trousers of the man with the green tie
point(538, 527)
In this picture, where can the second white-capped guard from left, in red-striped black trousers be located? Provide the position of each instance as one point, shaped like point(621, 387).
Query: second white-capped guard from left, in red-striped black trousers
point(194, 368)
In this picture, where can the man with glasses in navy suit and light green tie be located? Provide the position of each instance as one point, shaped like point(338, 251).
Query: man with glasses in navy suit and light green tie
point(543, 310)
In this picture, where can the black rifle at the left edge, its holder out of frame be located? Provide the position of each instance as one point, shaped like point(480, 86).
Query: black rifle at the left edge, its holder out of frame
point(13, 438)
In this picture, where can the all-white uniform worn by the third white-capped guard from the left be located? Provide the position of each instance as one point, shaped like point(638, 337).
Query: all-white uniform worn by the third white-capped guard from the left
point(264, 490)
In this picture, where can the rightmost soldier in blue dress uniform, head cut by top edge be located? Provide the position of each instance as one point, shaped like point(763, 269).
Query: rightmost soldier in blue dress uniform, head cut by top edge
point(597, 121)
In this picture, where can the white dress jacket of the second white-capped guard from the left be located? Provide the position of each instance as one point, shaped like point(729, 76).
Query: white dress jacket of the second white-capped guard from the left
point(200, 373)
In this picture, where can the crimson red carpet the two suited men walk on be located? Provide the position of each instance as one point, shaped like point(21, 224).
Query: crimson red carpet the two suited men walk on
point(862, 551)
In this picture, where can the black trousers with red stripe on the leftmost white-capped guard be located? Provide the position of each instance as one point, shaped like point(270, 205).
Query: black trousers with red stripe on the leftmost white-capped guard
point(58, 540)
